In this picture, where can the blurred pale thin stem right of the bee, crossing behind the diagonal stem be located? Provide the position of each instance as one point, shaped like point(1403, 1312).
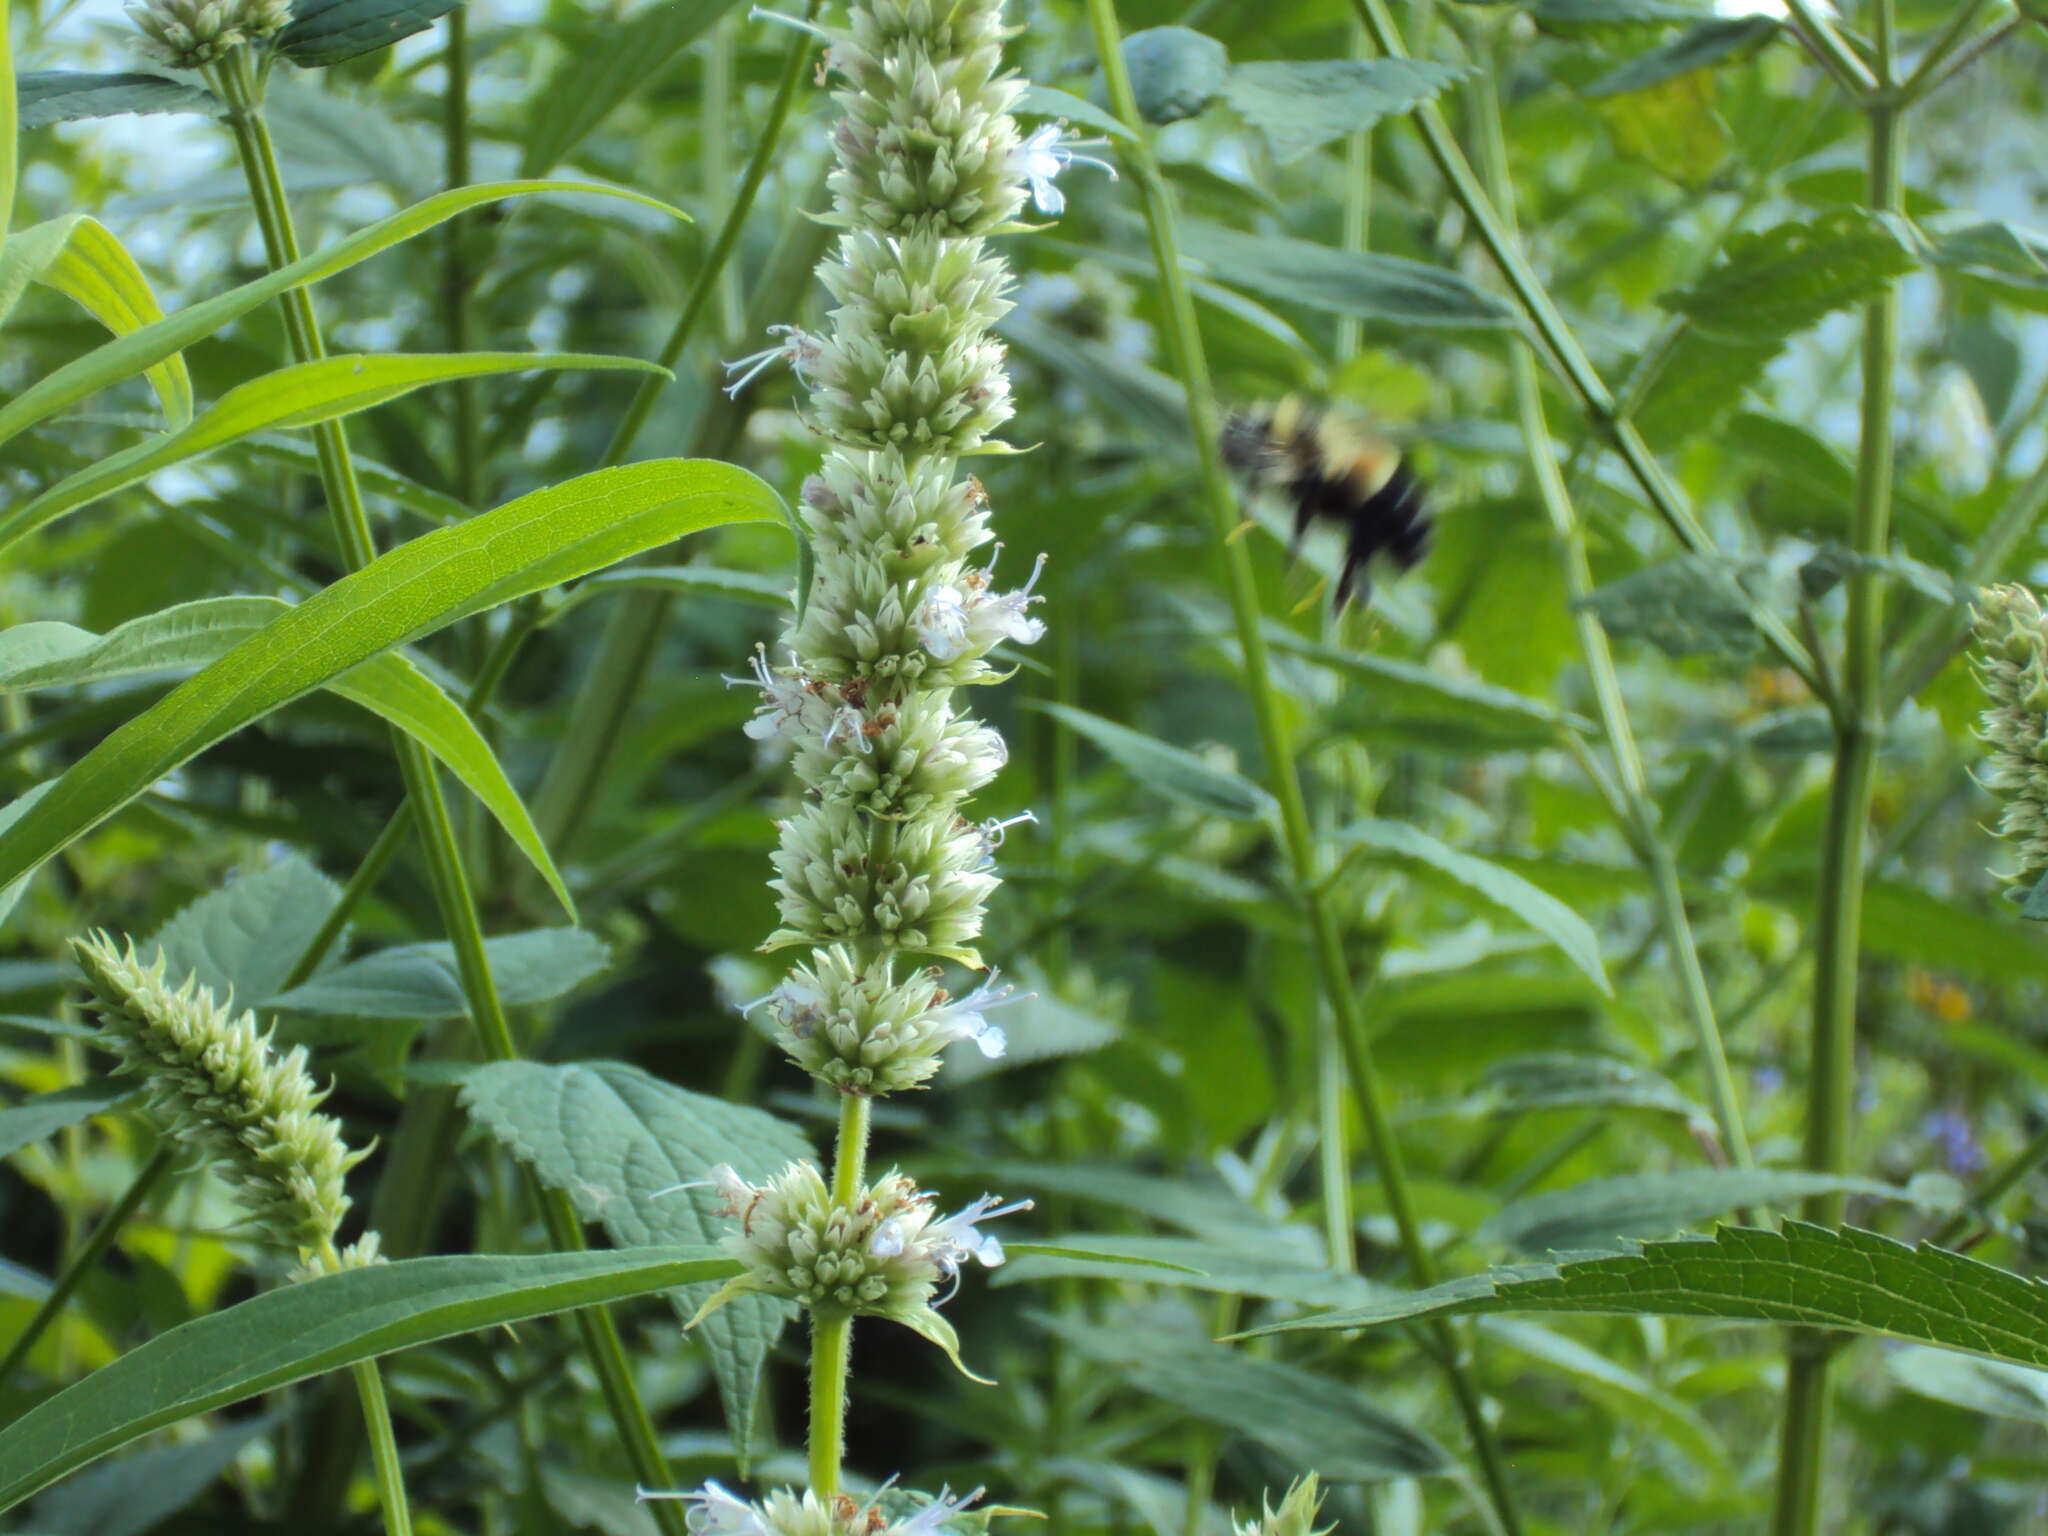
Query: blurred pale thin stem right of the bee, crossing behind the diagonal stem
point(1631, 781)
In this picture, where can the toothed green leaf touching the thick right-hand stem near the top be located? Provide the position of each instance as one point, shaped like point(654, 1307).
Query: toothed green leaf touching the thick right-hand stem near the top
point(1785, 280)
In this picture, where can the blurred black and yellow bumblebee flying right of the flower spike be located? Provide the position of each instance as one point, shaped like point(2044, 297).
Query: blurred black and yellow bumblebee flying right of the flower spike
point(1332, 468)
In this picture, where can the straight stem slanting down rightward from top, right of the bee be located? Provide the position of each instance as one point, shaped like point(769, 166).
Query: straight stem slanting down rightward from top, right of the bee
point(1564, 349)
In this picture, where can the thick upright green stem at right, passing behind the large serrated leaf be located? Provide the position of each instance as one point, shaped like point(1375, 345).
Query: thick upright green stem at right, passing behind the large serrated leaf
point(1859, 726)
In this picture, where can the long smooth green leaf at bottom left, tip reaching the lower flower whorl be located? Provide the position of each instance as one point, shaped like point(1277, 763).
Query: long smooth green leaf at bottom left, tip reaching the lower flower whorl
point(316, 1326)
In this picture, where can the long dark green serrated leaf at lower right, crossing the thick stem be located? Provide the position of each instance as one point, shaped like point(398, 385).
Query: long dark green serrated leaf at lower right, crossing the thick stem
point(1811, 1277)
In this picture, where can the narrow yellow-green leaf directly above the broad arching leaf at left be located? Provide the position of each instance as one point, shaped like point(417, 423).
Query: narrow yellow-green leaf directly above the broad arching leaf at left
point(290, 398)
